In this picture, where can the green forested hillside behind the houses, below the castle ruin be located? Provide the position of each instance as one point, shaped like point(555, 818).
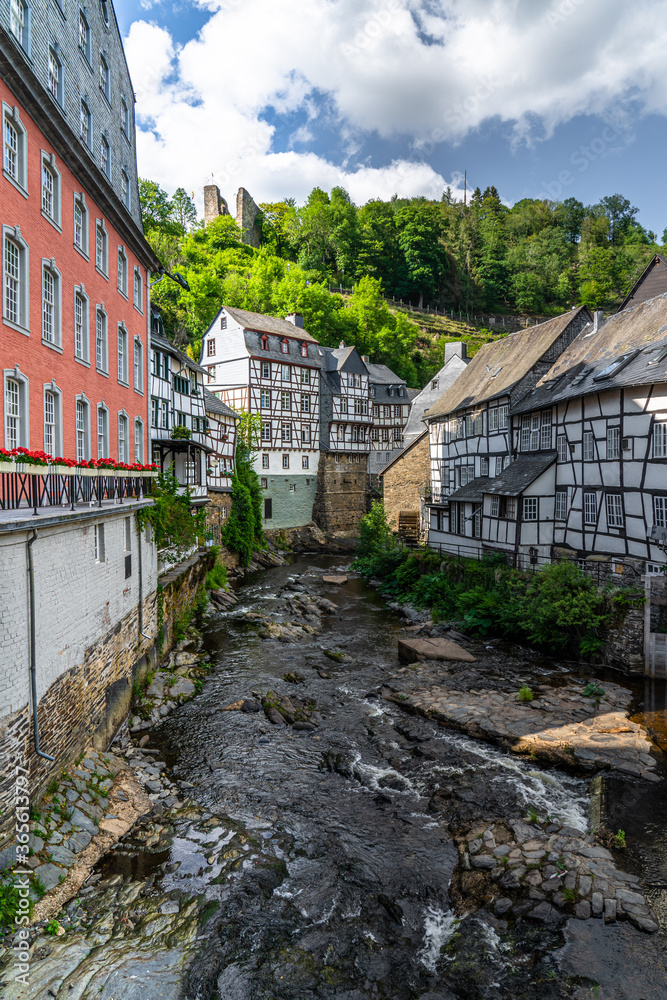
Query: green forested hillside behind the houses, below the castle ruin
point(538, 257)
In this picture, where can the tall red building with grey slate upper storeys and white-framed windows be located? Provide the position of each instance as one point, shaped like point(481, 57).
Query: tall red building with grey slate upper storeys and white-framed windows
point(75, 322)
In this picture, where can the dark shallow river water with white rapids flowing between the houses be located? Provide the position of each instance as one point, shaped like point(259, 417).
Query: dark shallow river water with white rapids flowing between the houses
point(326, 856)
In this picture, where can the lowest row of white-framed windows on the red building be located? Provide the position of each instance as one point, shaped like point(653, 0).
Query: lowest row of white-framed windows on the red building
point(17, 426)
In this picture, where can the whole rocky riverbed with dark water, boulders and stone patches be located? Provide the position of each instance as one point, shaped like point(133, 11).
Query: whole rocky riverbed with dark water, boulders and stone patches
point(311, 838)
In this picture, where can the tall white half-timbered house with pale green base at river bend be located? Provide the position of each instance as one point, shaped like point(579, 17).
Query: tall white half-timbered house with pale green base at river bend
point(270, 367)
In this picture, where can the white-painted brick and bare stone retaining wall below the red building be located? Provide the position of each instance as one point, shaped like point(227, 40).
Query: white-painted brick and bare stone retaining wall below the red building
point(102, 653)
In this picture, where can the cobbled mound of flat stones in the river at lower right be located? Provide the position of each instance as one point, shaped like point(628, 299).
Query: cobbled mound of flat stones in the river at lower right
point(547, 872)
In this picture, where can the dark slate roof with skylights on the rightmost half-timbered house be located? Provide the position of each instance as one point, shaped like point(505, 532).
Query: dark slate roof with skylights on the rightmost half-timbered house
point(639, 331)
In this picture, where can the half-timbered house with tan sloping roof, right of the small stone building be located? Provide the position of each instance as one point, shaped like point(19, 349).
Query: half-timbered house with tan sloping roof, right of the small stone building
point(469, 426)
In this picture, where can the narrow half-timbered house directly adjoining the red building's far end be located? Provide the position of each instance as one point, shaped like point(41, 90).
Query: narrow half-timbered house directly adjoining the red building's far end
point(179, 434)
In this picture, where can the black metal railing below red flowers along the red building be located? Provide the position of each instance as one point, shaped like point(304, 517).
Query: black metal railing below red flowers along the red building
point(24, 490)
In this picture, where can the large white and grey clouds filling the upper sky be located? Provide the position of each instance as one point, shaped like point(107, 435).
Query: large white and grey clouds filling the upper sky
point(429, 70)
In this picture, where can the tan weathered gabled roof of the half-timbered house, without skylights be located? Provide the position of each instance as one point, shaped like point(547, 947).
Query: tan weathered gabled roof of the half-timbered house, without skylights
point(497, 367)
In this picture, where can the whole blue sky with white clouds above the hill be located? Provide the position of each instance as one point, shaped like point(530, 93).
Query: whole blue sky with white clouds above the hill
point(541, 99)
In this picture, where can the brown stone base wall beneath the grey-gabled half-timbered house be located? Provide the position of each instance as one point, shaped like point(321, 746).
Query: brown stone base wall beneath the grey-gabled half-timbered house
point(342, 492)
